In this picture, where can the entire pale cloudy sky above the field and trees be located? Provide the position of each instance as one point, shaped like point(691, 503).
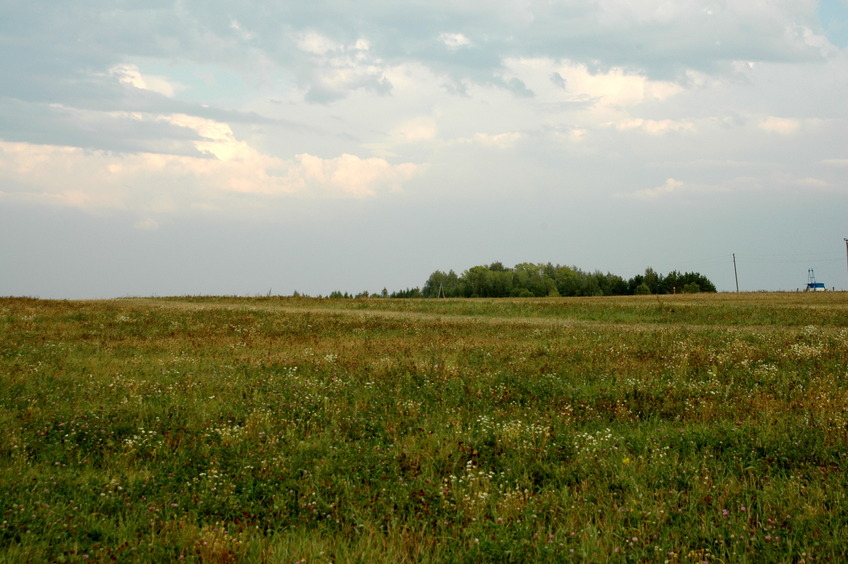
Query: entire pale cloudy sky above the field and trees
point(186, 147)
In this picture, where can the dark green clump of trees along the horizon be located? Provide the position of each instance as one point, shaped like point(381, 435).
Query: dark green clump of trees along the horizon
point(540, 280)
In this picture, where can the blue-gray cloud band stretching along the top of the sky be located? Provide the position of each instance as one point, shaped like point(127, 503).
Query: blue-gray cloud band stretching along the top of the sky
point(59, 45)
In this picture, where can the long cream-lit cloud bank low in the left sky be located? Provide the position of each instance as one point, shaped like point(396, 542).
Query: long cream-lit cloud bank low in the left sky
point(162, 183)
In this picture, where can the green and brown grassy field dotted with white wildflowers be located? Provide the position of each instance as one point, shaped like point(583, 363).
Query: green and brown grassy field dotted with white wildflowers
point(697, 428)
